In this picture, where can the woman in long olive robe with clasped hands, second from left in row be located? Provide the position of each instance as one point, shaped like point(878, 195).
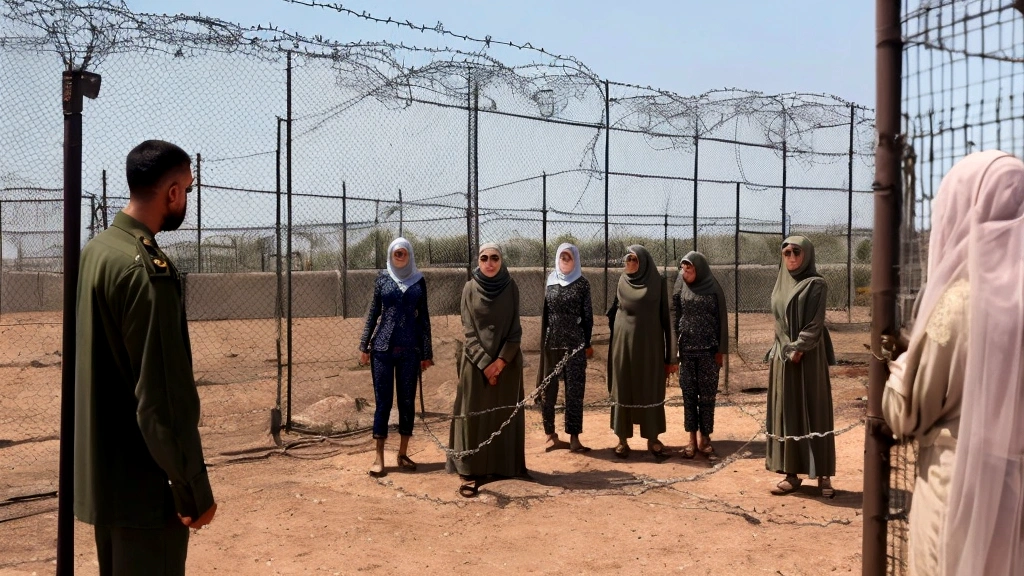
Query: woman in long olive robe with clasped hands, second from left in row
point(490, 378)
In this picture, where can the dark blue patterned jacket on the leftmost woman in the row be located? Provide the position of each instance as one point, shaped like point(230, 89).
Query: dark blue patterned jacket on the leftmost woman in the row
point(397, 319)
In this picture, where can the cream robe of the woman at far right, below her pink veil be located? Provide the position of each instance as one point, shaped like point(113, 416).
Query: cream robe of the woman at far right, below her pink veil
point(922, 402)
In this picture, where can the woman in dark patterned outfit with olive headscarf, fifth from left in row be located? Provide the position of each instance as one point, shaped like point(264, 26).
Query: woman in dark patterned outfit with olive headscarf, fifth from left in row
point(703, 335)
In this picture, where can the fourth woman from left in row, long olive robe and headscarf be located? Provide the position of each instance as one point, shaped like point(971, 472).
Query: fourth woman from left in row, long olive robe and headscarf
point(641, 355)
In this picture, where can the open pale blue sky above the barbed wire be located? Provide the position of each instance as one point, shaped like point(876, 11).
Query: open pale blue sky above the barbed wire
point(686, 47)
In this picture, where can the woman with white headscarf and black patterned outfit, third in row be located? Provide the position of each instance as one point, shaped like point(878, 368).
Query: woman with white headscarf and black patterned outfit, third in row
point(567, 324)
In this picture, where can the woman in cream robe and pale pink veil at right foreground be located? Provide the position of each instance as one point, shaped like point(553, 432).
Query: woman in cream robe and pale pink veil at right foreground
point(958, 391)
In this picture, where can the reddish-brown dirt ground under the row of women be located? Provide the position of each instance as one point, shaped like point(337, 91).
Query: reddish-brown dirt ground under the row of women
point(311, 508)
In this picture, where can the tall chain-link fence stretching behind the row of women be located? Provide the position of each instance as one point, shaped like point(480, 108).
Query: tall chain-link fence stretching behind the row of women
point(311, 157)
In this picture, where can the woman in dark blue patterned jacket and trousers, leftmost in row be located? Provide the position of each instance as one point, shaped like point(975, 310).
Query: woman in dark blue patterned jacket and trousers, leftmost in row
point(397, 345)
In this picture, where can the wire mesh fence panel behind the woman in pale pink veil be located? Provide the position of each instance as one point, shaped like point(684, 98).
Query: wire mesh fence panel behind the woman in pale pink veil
point(962, 87)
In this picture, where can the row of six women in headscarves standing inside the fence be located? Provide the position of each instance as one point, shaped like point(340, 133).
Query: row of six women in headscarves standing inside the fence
point(642, 356)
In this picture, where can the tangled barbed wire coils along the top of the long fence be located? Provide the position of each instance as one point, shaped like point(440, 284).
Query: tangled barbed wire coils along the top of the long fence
point(559, 88)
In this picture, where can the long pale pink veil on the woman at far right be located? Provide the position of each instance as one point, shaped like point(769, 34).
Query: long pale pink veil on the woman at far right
point(978, 234)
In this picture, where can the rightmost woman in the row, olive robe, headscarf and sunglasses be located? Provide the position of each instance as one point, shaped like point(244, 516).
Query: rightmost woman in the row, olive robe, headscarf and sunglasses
point(799, 389)
